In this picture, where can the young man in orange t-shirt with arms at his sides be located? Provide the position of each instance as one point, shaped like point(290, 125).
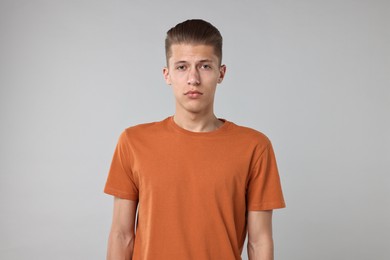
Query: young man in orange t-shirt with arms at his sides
point(200, 182)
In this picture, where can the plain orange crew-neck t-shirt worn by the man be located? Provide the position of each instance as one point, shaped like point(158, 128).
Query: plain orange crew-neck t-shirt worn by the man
point(194, 189)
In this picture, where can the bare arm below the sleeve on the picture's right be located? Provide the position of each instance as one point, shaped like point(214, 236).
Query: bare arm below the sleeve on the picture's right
point(260, 241)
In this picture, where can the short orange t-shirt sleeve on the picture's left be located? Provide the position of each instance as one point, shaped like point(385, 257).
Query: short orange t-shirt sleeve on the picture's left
point(121, 182)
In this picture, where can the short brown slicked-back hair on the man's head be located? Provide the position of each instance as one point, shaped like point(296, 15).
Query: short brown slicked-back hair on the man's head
point(194, 31)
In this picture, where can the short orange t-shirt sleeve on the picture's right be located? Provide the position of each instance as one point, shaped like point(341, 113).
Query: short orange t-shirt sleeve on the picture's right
point(264, 191)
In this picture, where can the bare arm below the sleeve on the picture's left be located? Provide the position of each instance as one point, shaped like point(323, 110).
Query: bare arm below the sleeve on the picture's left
point(121, 239)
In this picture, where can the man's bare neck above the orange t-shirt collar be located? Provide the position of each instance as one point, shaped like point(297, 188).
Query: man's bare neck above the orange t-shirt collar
point(197, 122)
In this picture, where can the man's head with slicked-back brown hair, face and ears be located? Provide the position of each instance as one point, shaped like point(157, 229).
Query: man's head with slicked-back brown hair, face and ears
point(194, 53)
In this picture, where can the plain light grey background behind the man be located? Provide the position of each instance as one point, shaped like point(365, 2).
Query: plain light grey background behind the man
point(312, 75)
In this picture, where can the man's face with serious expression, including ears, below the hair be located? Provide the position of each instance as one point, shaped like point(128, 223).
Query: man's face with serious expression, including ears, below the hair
point(194, 72)
